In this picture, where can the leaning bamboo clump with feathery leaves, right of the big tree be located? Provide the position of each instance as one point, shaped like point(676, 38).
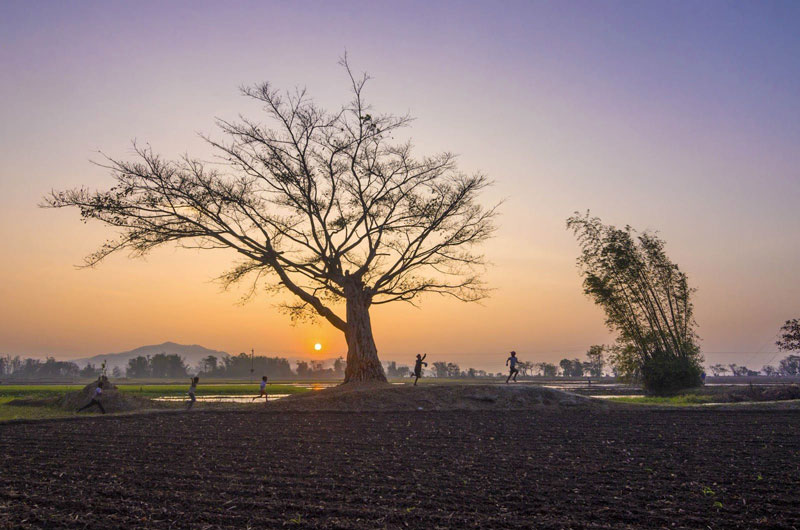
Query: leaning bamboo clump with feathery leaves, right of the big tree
point(646, 299)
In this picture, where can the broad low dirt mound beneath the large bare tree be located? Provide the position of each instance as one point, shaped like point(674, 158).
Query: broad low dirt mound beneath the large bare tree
point(386, 397)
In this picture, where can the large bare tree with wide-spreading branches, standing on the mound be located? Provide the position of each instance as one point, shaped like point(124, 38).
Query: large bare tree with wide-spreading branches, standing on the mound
point(325, 205)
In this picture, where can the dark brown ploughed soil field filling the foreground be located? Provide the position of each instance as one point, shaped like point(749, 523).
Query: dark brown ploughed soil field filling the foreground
point(549, 468)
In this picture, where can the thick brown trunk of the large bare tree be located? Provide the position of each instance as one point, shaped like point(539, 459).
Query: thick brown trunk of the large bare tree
point(362, 355)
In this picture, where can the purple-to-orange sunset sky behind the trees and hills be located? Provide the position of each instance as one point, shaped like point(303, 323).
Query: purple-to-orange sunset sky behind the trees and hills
point(680, 117)
